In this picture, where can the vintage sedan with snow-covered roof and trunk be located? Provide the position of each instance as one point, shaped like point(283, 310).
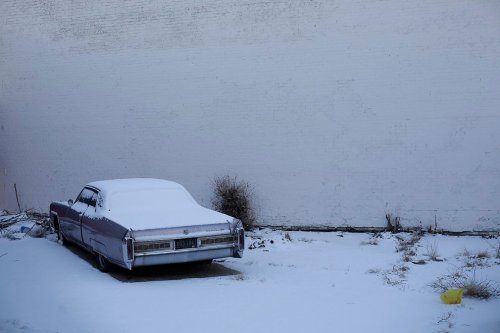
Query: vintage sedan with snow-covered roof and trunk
point(142, 222)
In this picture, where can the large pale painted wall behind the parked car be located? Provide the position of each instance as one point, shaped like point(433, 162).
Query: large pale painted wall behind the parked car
point(337, 112)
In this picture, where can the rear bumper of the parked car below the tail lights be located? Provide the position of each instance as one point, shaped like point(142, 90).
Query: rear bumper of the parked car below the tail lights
point(188, 255)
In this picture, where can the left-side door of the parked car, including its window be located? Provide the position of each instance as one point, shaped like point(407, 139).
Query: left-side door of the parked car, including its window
point(72, 228)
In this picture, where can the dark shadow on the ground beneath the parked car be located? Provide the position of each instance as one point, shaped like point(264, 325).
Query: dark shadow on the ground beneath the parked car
point(161, 272)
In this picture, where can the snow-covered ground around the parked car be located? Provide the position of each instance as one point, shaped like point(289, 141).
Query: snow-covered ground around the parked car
point(289, 282)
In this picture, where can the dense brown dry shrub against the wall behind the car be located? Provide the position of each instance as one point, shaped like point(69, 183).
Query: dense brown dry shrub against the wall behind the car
point(234, 197)
